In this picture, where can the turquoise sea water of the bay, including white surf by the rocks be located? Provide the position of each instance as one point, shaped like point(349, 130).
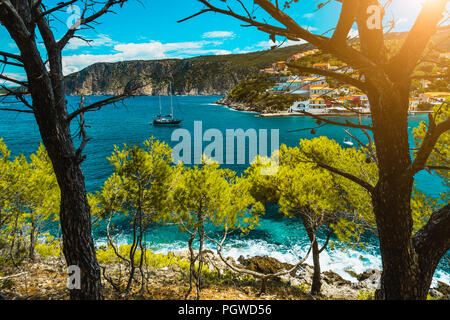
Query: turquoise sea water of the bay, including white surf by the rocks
point(129, 123)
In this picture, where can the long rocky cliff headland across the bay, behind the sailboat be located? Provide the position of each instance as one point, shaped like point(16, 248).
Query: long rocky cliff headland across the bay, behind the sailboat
point(205, 75)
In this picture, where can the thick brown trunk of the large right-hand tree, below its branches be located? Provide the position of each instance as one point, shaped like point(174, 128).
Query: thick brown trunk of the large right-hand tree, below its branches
point(392, 198)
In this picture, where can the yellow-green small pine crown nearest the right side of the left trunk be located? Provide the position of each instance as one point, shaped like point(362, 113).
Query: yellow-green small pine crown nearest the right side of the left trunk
point(139, 185)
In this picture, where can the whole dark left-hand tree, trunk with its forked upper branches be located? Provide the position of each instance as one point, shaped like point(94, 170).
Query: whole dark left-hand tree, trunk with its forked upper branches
point(45, 84)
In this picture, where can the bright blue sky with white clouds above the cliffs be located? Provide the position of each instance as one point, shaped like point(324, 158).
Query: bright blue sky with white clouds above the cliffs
point(149, 30)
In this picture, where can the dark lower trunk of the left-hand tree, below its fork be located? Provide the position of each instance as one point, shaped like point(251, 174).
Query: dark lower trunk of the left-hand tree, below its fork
point(75, 212)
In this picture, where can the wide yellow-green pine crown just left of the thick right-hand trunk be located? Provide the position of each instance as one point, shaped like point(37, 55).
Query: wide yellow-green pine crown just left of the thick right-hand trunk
point(302, 188)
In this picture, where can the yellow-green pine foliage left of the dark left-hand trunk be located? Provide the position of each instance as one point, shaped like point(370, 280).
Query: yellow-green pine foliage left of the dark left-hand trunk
point(29, 198)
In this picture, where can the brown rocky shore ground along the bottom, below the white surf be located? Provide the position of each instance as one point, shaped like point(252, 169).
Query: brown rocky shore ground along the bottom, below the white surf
point(46, 279)
